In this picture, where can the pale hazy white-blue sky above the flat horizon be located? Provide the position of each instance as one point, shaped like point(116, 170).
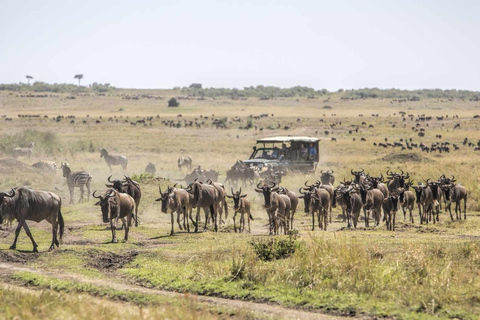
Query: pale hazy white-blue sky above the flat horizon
point(321, 44)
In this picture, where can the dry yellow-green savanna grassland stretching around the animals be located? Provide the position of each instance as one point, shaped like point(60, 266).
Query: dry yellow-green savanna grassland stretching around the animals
point(417, 272)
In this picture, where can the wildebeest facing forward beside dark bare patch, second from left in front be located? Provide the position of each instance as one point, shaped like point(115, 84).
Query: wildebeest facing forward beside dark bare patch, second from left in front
point(115, 206)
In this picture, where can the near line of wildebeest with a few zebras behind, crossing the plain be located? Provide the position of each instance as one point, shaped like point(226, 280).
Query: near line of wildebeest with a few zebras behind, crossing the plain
point(379, 197)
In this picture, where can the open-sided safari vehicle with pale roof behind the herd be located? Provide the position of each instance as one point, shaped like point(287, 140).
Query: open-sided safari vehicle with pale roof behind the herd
point(293, 153)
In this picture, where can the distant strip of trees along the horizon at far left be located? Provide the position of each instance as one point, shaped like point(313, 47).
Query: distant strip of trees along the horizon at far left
point(39, 86)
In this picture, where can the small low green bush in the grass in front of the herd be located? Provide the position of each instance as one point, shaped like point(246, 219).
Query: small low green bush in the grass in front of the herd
point(268, 249)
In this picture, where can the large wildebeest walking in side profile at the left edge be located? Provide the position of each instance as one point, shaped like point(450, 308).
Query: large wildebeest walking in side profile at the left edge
point(23, 204)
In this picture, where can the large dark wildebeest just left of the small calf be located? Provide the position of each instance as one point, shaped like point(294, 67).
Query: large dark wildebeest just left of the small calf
point(204, 196)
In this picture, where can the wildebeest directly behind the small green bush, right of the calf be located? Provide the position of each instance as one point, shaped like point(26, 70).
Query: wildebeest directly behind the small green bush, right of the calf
point(277, 206)
